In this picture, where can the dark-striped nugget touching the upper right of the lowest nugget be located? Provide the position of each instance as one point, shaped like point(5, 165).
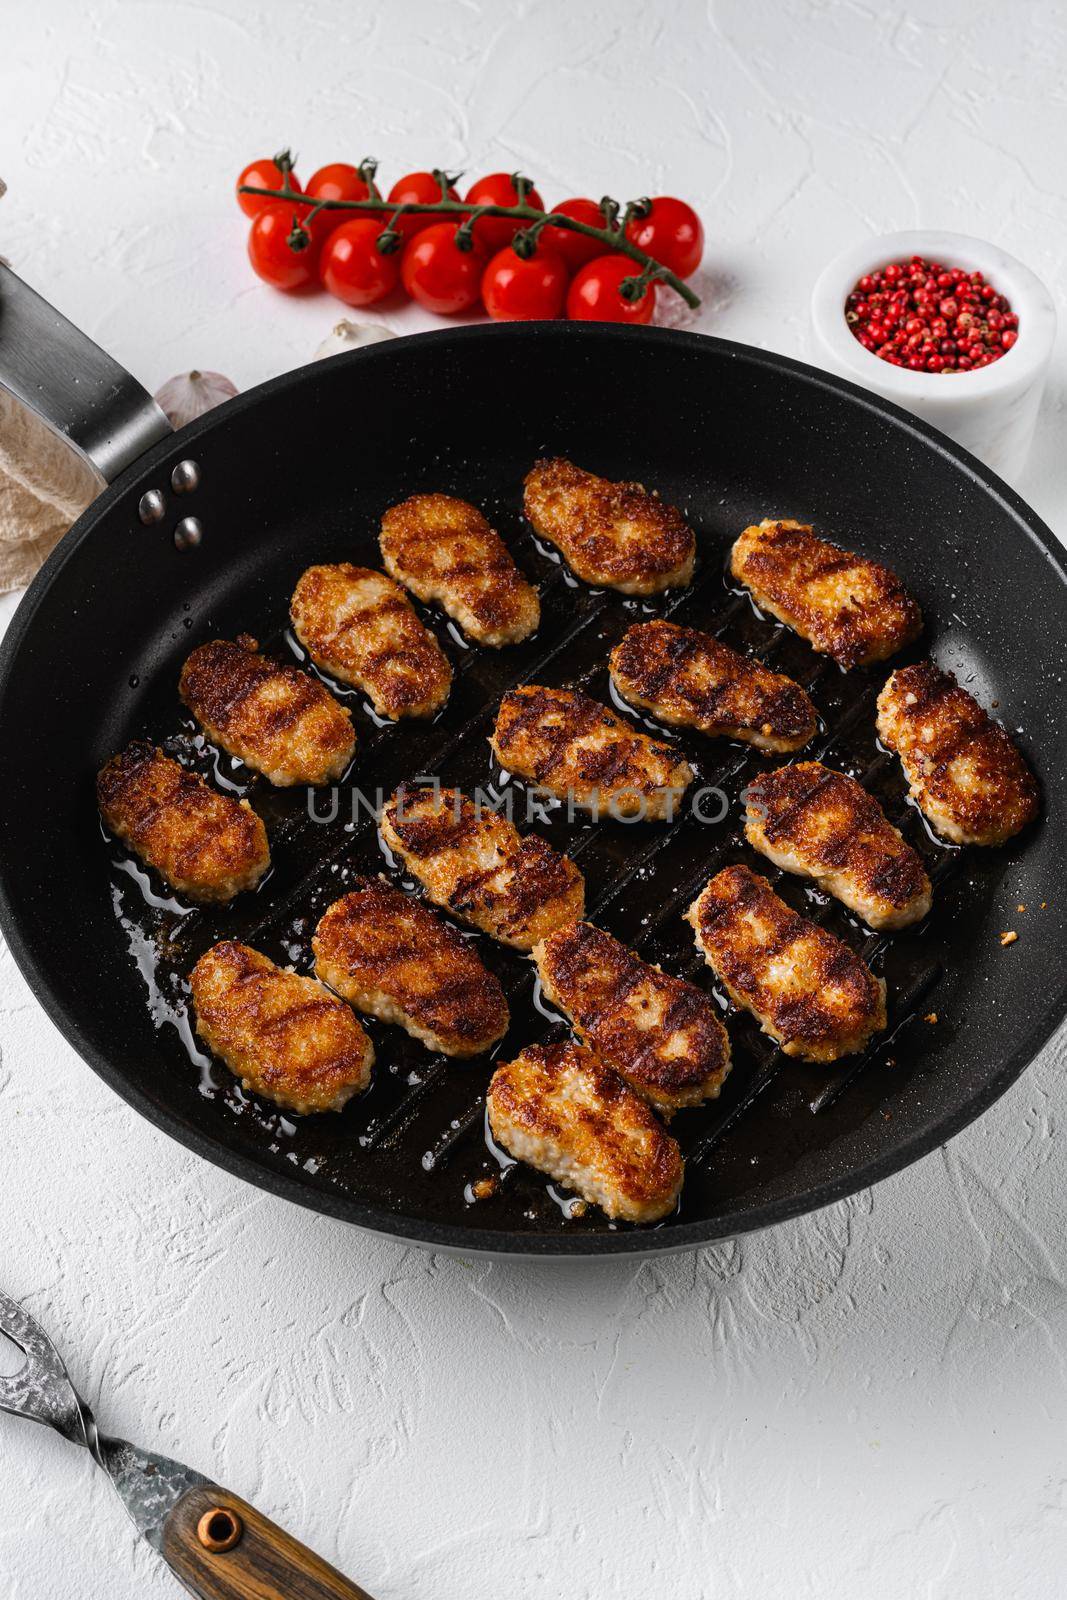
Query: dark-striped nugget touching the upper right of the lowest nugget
point(658, 1033)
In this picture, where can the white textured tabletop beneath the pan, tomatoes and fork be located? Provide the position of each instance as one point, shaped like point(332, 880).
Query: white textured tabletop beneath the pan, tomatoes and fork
point(871, 1402)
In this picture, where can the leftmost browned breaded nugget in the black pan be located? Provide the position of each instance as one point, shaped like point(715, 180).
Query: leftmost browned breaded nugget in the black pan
point(207, 846)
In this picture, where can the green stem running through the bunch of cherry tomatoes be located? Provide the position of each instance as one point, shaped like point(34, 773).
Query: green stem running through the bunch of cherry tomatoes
point(612, 236)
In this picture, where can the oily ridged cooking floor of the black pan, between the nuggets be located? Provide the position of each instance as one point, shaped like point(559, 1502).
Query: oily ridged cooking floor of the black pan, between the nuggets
point(426, 1114)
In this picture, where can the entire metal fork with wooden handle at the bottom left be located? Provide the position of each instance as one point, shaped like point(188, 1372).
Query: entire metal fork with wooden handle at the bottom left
point(217, 1545)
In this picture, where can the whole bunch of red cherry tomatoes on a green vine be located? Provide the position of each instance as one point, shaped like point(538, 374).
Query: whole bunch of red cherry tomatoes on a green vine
point(449, 263)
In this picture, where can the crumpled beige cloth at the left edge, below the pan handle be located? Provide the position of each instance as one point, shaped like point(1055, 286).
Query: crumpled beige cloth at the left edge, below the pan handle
point(44, 487)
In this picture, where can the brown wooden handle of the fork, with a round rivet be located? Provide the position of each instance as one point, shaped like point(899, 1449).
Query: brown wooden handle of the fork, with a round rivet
point(223, 1550)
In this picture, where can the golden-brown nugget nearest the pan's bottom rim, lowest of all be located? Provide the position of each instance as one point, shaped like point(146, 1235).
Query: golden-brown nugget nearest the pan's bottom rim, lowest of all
point(567, 1114)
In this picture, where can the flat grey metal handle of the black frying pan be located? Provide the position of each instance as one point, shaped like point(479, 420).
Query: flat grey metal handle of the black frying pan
point(71, 385)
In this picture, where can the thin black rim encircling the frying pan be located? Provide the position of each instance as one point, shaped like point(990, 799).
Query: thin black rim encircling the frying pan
point(471, 1239)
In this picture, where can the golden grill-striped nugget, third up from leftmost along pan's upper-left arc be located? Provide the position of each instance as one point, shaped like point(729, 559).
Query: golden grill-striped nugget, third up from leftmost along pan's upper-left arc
point(361, 626)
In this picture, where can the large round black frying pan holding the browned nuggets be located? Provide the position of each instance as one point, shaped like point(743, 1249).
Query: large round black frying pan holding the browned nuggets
point(300, 471)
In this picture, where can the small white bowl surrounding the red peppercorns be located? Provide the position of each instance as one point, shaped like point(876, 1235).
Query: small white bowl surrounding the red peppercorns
point(989, 412)
